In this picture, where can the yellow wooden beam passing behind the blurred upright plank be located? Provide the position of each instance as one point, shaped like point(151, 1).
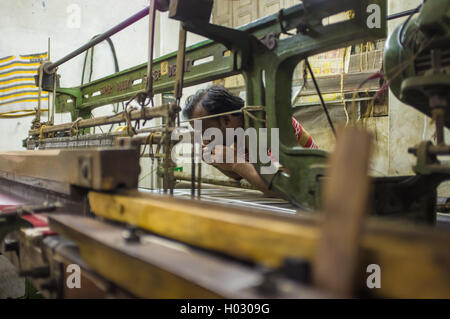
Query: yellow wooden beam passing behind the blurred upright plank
point(269, 238)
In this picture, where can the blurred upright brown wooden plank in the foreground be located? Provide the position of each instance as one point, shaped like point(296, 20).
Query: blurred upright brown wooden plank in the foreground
point(345, 205)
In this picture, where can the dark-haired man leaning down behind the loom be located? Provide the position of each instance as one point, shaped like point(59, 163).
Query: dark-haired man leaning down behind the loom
point(217, 100)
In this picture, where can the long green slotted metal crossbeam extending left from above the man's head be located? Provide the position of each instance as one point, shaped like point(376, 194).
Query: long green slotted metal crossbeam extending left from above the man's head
point(126, 84)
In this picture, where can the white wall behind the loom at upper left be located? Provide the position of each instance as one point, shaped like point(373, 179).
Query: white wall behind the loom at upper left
point(27, 24)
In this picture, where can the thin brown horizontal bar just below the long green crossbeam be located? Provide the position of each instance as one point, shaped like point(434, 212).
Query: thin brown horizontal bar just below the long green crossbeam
point(145, 114)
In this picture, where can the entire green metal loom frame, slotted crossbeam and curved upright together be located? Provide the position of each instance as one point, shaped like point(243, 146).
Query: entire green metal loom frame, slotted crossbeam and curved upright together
point(242, 51)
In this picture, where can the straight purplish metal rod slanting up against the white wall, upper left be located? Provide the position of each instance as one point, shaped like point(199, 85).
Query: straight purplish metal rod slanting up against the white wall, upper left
point(49, 68)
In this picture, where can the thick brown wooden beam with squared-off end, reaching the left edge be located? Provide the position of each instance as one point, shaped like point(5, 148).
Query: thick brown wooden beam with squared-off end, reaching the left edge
point(100, 169)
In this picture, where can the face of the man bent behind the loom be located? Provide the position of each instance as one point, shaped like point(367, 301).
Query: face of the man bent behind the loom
point(222, 122)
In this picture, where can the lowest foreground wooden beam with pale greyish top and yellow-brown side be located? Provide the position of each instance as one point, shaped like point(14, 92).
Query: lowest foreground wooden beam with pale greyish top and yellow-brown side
point(159, 268)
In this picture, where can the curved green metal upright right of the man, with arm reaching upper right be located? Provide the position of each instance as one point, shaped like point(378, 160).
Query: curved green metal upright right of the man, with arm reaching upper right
point(301, 185)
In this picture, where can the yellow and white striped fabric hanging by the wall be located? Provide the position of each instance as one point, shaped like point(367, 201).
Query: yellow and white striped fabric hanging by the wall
point(18, 92)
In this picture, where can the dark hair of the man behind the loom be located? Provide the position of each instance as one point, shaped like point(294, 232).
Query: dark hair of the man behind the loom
point(214, 100)
